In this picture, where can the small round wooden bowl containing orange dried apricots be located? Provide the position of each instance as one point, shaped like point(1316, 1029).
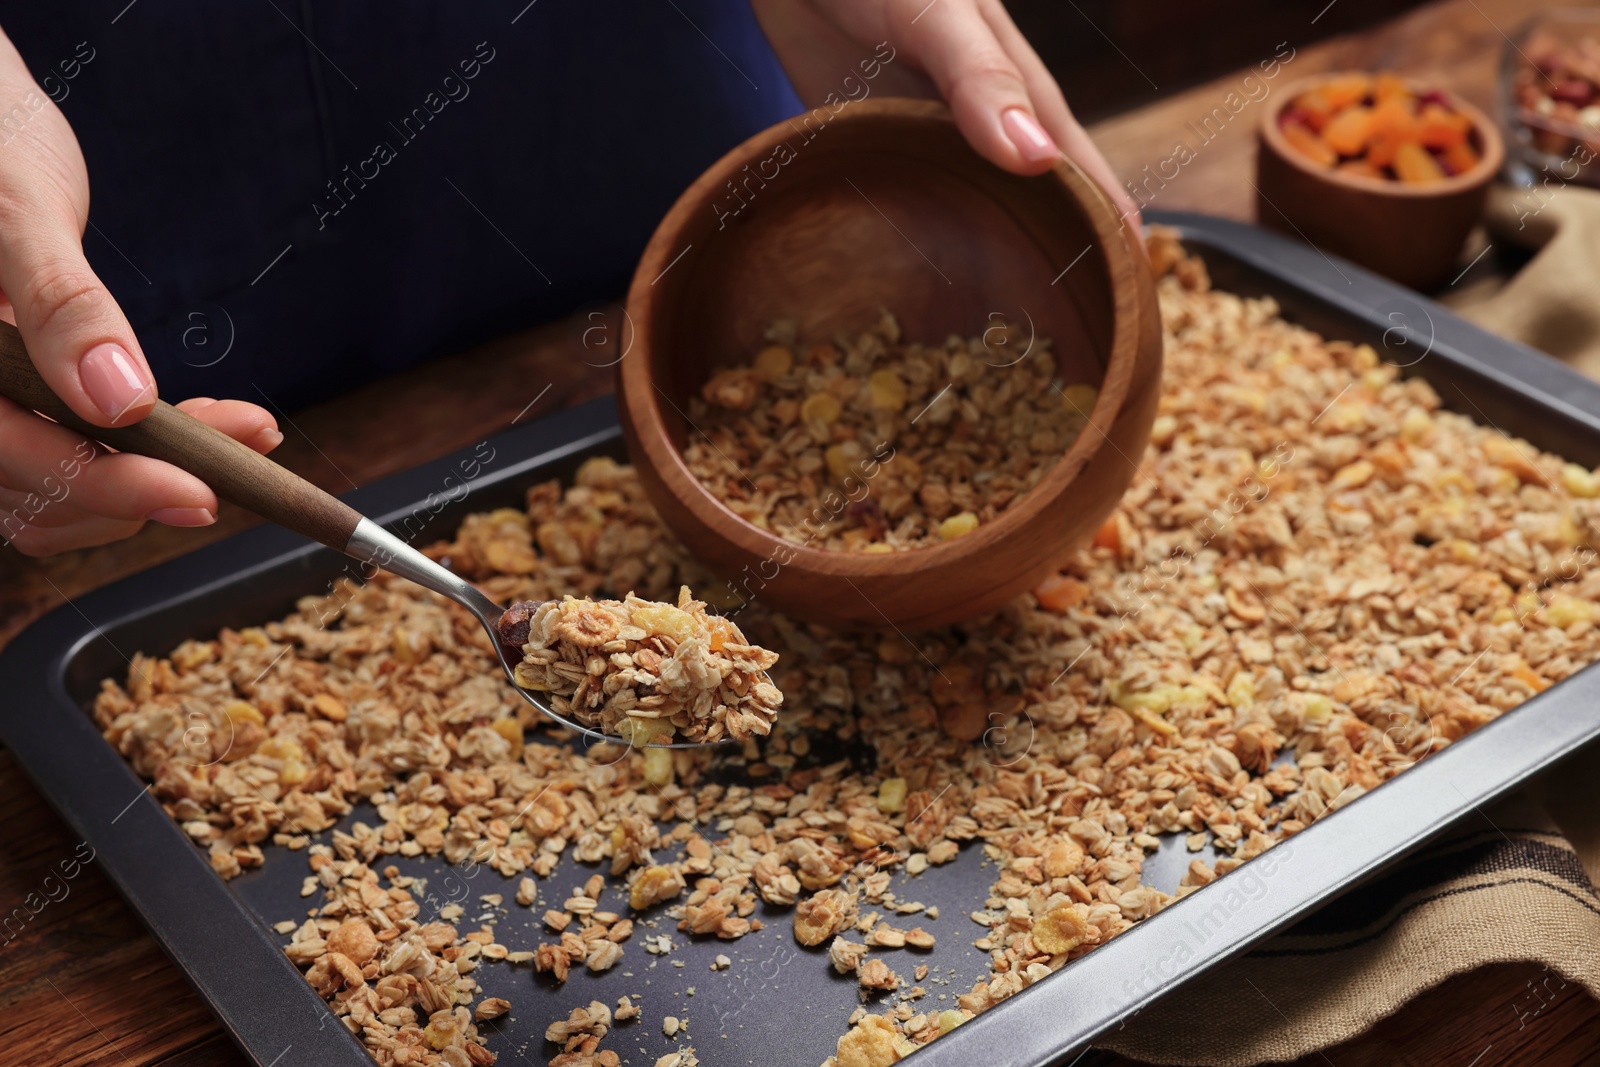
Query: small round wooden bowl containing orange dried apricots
point(1409, 233)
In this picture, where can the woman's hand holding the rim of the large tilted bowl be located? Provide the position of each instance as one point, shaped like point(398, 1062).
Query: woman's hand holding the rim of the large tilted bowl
point(969, 52)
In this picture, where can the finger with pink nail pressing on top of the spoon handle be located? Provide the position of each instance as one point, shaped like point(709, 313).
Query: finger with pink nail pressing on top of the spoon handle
point(78, 337)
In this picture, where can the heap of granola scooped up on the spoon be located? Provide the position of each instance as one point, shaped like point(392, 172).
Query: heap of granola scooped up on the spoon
point(644, 671)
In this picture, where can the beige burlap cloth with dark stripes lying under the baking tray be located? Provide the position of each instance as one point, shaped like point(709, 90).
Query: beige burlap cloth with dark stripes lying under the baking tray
point(1519, 884)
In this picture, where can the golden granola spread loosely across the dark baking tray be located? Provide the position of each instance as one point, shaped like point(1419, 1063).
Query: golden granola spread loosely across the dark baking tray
point(1318, 578)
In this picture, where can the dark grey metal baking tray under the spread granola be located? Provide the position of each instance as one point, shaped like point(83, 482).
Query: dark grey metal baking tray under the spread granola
point(778, 1004)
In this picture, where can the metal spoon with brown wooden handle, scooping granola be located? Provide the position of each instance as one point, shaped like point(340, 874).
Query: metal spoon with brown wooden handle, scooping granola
point(239, 474)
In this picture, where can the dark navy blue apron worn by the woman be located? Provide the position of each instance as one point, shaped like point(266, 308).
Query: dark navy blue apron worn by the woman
point(292, 198)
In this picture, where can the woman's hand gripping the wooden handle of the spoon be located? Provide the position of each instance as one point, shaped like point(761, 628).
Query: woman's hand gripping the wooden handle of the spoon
point(57, 489)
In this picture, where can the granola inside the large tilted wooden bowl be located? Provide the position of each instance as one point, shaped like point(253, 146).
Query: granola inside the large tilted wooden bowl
point(876, 444)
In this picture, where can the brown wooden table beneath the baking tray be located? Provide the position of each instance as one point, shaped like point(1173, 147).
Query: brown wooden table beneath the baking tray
point(86, 985)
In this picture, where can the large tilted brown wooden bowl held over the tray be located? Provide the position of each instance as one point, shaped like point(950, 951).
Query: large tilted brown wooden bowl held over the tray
point(886, 206)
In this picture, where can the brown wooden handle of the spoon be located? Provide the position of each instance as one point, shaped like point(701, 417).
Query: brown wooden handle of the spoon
point(236, 473)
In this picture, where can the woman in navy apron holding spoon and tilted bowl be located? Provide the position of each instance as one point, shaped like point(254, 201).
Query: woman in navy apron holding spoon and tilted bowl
point(298, 196)
